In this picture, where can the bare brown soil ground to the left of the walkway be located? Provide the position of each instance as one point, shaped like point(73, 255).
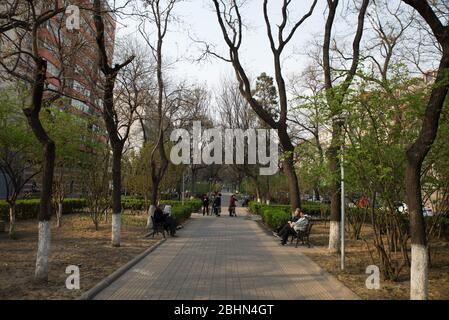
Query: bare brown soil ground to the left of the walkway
point(75, 243)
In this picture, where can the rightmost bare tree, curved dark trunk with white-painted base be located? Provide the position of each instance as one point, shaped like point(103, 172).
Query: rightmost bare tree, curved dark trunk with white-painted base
point(419, 149)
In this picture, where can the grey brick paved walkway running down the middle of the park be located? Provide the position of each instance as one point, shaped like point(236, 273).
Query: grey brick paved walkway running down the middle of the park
point(225, 258)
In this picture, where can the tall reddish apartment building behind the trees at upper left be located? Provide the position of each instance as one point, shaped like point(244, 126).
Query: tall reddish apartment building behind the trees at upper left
point(72, 68)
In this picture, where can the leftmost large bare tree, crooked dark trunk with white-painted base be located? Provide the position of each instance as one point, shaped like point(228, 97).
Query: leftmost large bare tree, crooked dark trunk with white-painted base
point(21, 25)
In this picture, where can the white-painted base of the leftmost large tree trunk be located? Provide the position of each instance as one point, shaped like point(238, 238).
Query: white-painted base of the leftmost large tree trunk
point(43, 251)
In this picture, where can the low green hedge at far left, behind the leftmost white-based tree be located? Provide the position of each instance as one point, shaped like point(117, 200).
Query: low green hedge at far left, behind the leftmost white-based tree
point(28, 209)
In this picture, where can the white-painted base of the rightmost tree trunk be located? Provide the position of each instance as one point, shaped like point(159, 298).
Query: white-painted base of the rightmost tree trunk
point(419, 273)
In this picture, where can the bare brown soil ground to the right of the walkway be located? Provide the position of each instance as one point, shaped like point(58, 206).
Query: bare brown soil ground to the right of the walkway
point(358, 258)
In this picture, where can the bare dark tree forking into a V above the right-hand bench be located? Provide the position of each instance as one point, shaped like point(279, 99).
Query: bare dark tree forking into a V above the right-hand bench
point(230, 21)
